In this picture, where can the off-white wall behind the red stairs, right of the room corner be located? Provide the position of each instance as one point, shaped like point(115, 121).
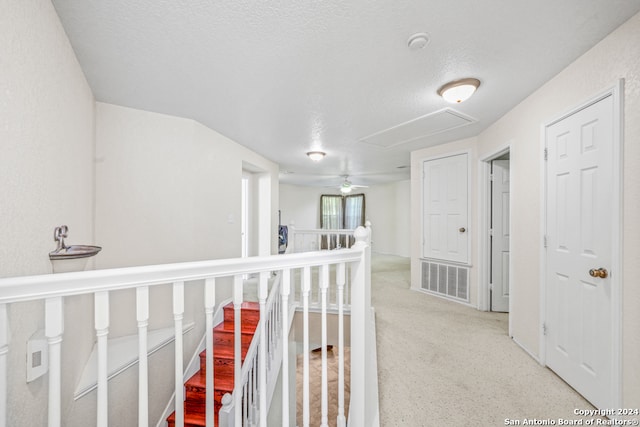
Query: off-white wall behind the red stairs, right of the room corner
point(168, 190)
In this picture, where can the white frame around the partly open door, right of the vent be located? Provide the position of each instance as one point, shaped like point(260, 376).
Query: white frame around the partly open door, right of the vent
point(484, 243)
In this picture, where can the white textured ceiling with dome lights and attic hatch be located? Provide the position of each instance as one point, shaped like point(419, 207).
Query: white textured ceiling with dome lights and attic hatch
point(284, 77)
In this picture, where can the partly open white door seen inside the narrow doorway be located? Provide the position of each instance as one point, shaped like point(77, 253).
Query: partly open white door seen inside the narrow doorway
point(500, 235)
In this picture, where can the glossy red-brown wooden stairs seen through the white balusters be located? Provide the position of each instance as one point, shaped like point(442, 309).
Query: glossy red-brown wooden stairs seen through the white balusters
point(223, 365)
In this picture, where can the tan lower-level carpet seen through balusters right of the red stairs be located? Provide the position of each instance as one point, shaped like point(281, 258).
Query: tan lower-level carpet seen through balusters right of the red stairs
point(315, 390)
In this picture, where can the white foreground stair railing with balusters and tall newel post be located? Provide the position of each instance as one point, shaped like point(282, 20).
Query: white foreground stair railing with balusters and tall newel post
point(53, 289)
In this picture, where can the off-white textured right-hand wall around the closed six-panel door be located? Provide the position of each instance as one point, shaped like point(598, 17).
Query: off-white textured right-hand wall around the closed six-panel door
point(617, 56)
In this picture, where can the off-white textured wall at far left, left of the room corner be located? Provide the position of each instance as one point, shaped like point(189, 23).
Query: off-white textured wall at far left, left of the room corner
point(46, 180)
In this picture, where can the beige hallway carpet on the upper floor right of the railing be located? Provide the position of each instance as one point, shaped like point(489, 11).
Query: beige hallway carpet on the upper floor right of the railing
point(444, 364)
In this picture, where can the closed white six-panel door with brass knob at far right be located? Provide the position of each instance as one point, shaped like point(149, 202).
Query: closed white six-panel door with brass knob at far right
point(578, 320)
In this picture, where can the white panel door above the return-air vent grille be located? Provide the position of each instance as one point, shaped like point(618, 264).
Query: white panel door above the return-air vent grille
point(445, 209)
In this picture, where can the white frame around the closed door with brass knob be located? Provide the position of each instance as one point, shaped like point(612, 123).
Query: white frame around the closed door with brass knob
point(617, 226)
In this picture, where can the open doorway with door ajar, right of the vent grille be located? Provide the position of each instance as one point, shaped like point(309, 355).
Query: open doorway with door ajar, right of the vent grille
point(495, 232)
